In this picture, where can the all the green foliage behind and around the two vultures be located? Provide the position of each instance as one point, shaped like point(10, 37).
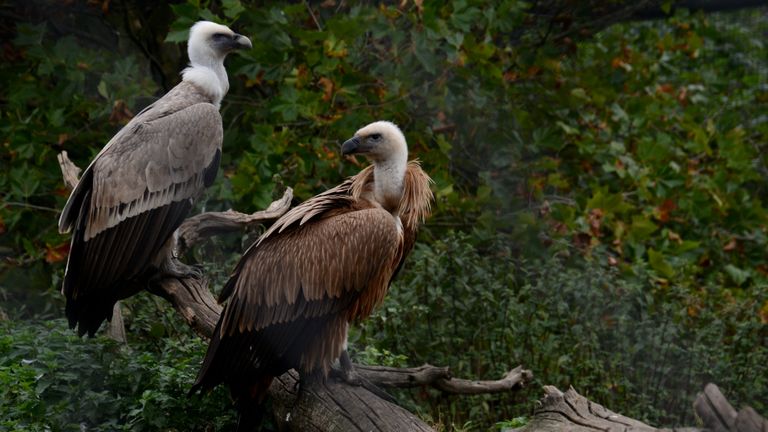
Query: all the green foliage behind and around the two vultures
point(600, 184)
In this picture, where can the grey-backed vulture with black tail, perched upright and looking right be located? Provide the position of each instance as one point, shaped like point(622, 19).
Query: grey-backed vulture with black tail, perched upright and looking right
point(142, 184)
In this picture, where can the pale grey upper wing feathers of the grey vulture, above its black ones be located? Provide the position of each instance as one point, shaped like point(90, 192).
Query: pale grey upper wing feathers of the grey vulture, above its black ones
point(154, 164)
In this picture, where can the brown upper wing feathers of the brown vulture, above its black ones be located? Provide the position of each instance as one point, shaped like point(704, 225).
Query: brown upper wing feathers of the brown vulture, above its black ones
point(313, 269)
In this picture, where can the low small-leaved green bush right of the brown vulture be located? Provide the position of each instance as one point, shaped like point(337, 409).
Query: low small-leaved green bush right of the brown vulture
point(639, 348)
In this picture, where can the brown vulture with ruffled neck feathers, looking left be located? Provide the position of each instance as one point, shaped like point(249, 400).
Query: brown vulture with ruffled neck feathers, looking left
point(322, 265)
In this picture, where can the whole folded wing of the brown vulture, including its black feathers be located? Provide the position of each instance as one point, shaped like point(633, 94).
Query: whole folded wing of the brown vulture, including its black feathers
point(293, 293)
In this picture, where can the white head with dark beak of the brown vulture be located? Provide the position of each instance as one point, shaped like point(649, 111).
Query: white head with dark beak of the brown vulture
point(381, 142)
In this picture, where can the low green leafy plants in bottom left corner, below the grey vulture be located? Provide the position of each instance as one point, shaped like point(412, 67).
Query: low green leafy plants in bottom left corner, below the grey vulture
point(51, 379)
